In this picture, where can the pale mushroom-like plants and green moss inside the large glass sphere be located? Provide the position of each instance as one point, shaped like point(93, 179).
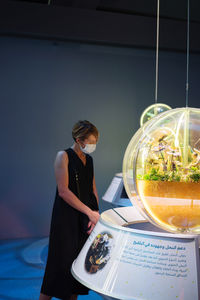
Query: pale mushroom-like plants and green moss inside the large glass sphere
point(166, 161)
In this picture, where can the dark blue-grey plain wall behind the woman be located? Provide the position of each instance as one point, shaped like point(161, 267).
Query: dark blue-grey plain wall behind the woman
point(45, 88)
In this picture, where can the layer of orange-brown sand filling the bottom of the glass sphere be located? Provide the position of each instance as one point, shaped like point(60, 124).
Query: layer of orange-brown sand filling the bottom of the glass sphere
point(173, 205)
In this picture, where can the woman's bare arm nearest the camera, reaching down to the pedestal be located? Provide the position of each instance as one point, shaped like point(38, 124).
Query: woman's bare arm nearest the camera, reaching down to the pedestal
point(62, 179)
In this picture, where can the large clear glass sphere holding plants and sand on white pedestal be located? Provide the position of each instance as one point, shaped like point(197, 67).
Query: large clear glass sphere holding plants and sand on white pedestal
point(161, 170)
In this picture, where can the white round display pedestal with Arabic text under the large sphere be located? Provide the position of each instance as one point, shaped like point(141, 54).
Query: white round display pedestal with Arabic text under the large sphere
point(138, 262)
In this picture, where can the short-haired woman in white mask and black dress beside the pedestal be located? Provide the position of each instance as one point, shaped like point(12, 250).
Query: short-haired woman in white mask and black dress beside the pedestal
point(75, 213)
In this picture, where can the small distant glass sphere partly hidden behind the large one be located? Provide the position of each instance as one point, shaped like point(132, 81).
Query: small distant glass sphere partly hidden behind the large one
point(152, 111)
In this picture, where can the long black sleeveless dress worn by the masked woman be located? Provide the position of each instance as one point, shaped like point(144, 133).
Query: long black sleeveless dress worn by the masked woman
point(68, 233)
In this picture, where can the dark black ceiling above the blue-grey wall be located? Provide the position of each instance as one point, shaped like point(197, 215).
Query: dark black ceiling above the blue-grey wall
point(129, 23)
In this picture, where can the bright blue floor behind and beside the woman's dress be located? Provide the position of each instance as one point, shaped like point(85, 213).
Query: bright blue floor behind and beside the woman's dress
point(22, 263)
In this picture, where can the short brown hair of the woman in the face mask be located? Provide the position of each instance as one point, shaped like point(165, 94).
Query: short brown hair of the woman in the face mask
point(83, 129)
